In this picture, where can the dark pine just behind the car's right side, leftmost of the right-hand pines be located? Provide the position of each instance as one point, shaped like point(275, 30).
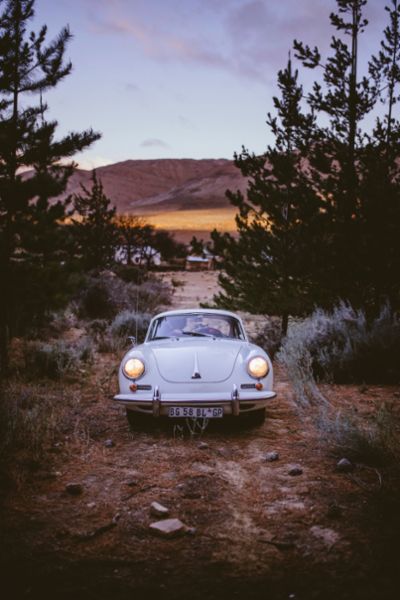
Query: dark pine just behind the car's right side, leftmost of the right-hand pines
point(268, 267)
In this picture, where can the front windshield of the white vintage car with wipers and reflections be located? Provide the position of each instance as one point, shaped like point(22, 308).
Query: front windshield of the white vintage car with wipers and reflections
point(196, 325)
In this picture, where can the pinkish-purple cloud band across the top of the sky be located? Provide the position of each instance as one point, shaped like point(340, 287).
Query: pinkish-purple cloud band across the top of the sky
point(247, 38)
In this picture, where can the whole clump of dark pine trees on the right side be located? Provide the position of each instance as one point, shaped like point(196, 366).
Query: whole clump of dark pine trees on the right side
point(321, 215)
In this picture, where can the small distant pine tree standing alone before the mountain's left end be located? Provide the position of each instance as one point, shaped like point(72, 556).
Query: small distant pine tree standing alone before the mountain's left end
point(94, 226)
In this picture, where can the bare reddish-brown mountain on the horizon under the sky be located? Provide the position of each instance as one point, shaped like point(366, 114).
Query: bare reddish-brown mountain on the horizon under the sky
point(165, 185)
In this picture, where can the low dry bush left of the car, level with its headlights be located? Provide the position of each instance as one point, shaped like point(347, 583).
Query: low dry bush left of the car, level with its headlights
point(53, 360)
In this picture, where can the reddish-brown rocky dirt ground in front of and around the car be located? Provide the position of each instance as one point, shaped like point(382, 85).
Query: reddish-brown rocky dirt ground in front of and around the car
point(254, 530)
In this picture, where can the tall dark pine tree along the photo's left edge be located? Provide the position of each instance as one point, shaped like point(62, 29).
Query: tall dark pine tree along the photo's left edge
point(28, 66)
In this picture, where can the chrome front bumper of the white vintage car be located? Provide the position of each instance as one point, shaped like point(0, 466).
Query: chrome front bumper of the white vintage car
point(158, 403)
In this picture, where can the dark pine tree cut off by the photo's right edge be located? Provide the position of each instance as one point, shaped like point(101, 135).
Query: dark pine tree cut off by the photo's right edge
point(380, 176)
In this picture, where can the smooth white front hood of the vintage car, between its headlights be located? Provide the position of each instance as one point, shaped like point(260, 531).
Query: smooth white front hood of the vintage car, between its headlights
point(194, 360)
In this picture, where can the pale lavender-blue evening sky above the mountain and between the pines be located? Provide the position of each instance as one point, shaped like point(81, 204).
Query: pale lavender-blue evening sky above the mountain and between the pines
point(181, 78)
